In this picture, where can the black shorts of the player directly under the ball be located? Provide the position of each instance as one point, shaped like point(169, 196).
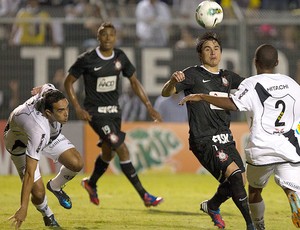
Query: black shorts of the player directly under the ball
point(217, 157)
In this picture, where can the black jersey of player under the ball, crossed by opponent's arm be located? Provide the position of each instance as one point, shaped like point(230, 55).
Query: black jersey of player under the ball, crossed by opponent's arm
point(206, 120)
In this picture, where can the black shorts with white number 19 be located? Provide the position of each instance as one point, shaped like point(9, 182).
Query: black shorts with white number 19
point(108, 128)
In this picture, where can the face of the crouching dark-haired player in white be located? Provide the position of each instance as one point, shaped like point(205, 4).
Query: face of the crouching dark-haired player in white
point(60, 111)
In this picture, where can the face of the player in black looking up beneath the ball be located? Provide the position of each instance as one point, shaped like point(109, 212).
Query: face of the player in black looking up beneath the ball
point(211, 54)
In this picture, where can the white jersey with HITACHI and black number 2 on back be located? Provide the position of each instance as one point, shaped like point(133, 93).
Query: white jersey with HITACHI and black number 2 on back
point(272, 102)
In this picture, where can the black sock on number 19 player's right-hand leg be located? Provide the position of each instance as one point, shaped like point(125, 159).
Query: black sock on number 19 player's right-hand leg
point(132, 176)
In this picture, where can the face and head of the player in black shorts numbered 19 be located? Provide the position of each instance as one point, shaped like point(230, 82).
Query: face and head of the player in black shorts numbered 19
point(107, 39)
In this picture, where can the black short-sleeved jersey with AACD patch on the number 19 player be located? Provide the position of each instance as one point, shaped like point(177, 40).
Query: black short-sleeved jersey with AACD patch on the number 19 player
point(101, 77)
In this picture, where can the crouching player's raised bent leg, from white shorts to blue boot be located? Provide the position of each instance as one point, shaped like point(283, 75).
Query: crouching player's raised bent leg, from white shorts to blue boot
point(64, 152)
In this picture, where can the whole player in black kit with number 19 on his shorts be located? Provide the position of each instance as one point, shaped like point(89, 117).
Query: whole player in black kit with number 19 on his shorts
point(101, 69)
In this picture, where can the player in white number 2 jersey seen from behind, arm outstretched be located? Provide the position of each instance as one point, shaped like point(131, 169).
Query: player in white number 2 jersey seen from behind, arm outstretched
point(272, 102)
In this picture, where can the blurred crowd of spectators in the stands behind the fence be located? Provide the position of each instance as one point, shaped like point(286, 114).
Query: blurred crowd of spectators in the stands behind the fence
point(153, 26)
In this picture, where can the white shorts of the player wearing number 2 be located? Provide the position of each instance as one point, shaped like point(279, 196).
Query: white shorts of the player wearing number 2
point(286, 175)
